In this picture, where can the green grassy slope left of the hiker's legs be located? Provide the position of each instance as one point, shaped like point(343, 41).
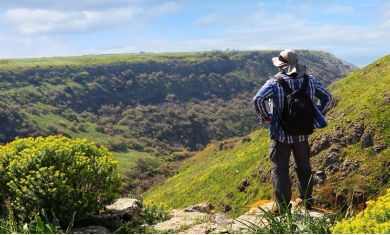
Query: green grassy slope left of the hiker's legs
point(212, 174)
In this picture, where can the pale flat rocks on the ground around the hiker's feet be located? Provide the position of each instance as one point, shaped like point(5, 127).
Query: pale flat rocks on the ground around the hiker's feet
point(197, 219)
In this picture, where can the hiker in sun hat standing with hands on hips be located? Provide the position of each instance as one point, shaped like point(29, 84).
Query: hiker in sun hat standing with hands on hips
point(289, 134)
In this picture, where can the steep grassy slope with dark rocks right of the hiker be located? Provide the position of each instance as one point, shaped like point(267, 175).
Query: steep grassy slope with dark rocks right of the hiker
point(353, 150)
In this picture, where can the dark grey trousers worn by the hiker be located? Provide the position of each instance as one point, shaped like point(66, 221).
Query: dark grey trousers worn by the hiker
point(280, 157)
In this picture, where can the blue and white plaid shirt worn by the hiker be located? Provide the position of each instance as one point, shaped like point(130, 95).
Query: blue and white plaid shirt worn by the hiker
point(273, 94)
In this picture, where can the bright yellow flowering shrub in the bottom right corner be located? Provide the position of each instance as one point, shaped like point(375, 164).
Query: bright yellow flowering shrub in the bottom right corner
point(375, 219)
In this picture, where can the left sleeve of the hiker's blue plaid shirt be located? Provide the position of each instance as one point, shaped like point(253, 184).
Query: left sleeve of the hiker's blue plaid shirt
point(260, 99)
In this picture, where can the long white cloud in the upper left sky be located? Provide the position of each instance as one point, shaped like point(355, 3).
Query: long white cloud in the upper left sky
point(49, 21)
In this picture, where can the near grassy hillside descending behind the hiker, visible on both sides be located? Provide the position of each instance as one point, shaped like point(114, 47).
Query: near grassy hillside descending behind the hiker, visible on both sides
point(350, 158)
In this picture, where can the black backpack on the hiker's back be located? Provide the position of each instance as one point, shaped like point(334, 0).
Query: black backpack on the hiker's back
point(298, 114)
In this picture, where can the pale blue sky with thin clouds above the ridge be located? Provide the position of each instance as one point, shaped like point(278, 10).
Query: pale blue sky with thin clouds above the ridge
point(357, 31)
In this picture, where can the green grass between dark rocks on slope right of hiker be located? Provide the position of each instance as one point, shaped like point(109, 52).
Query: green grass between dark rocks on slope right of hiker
point(362, 98)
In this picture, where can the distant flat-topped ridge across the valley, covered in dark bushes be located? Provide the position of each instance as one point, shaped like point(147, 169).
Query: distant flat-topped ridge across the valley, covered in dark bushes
point(156, 103)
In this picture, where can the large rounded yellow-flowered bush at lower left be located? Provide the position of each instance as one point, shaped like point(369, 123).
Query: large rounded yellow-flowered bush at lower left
point(57, 174)
